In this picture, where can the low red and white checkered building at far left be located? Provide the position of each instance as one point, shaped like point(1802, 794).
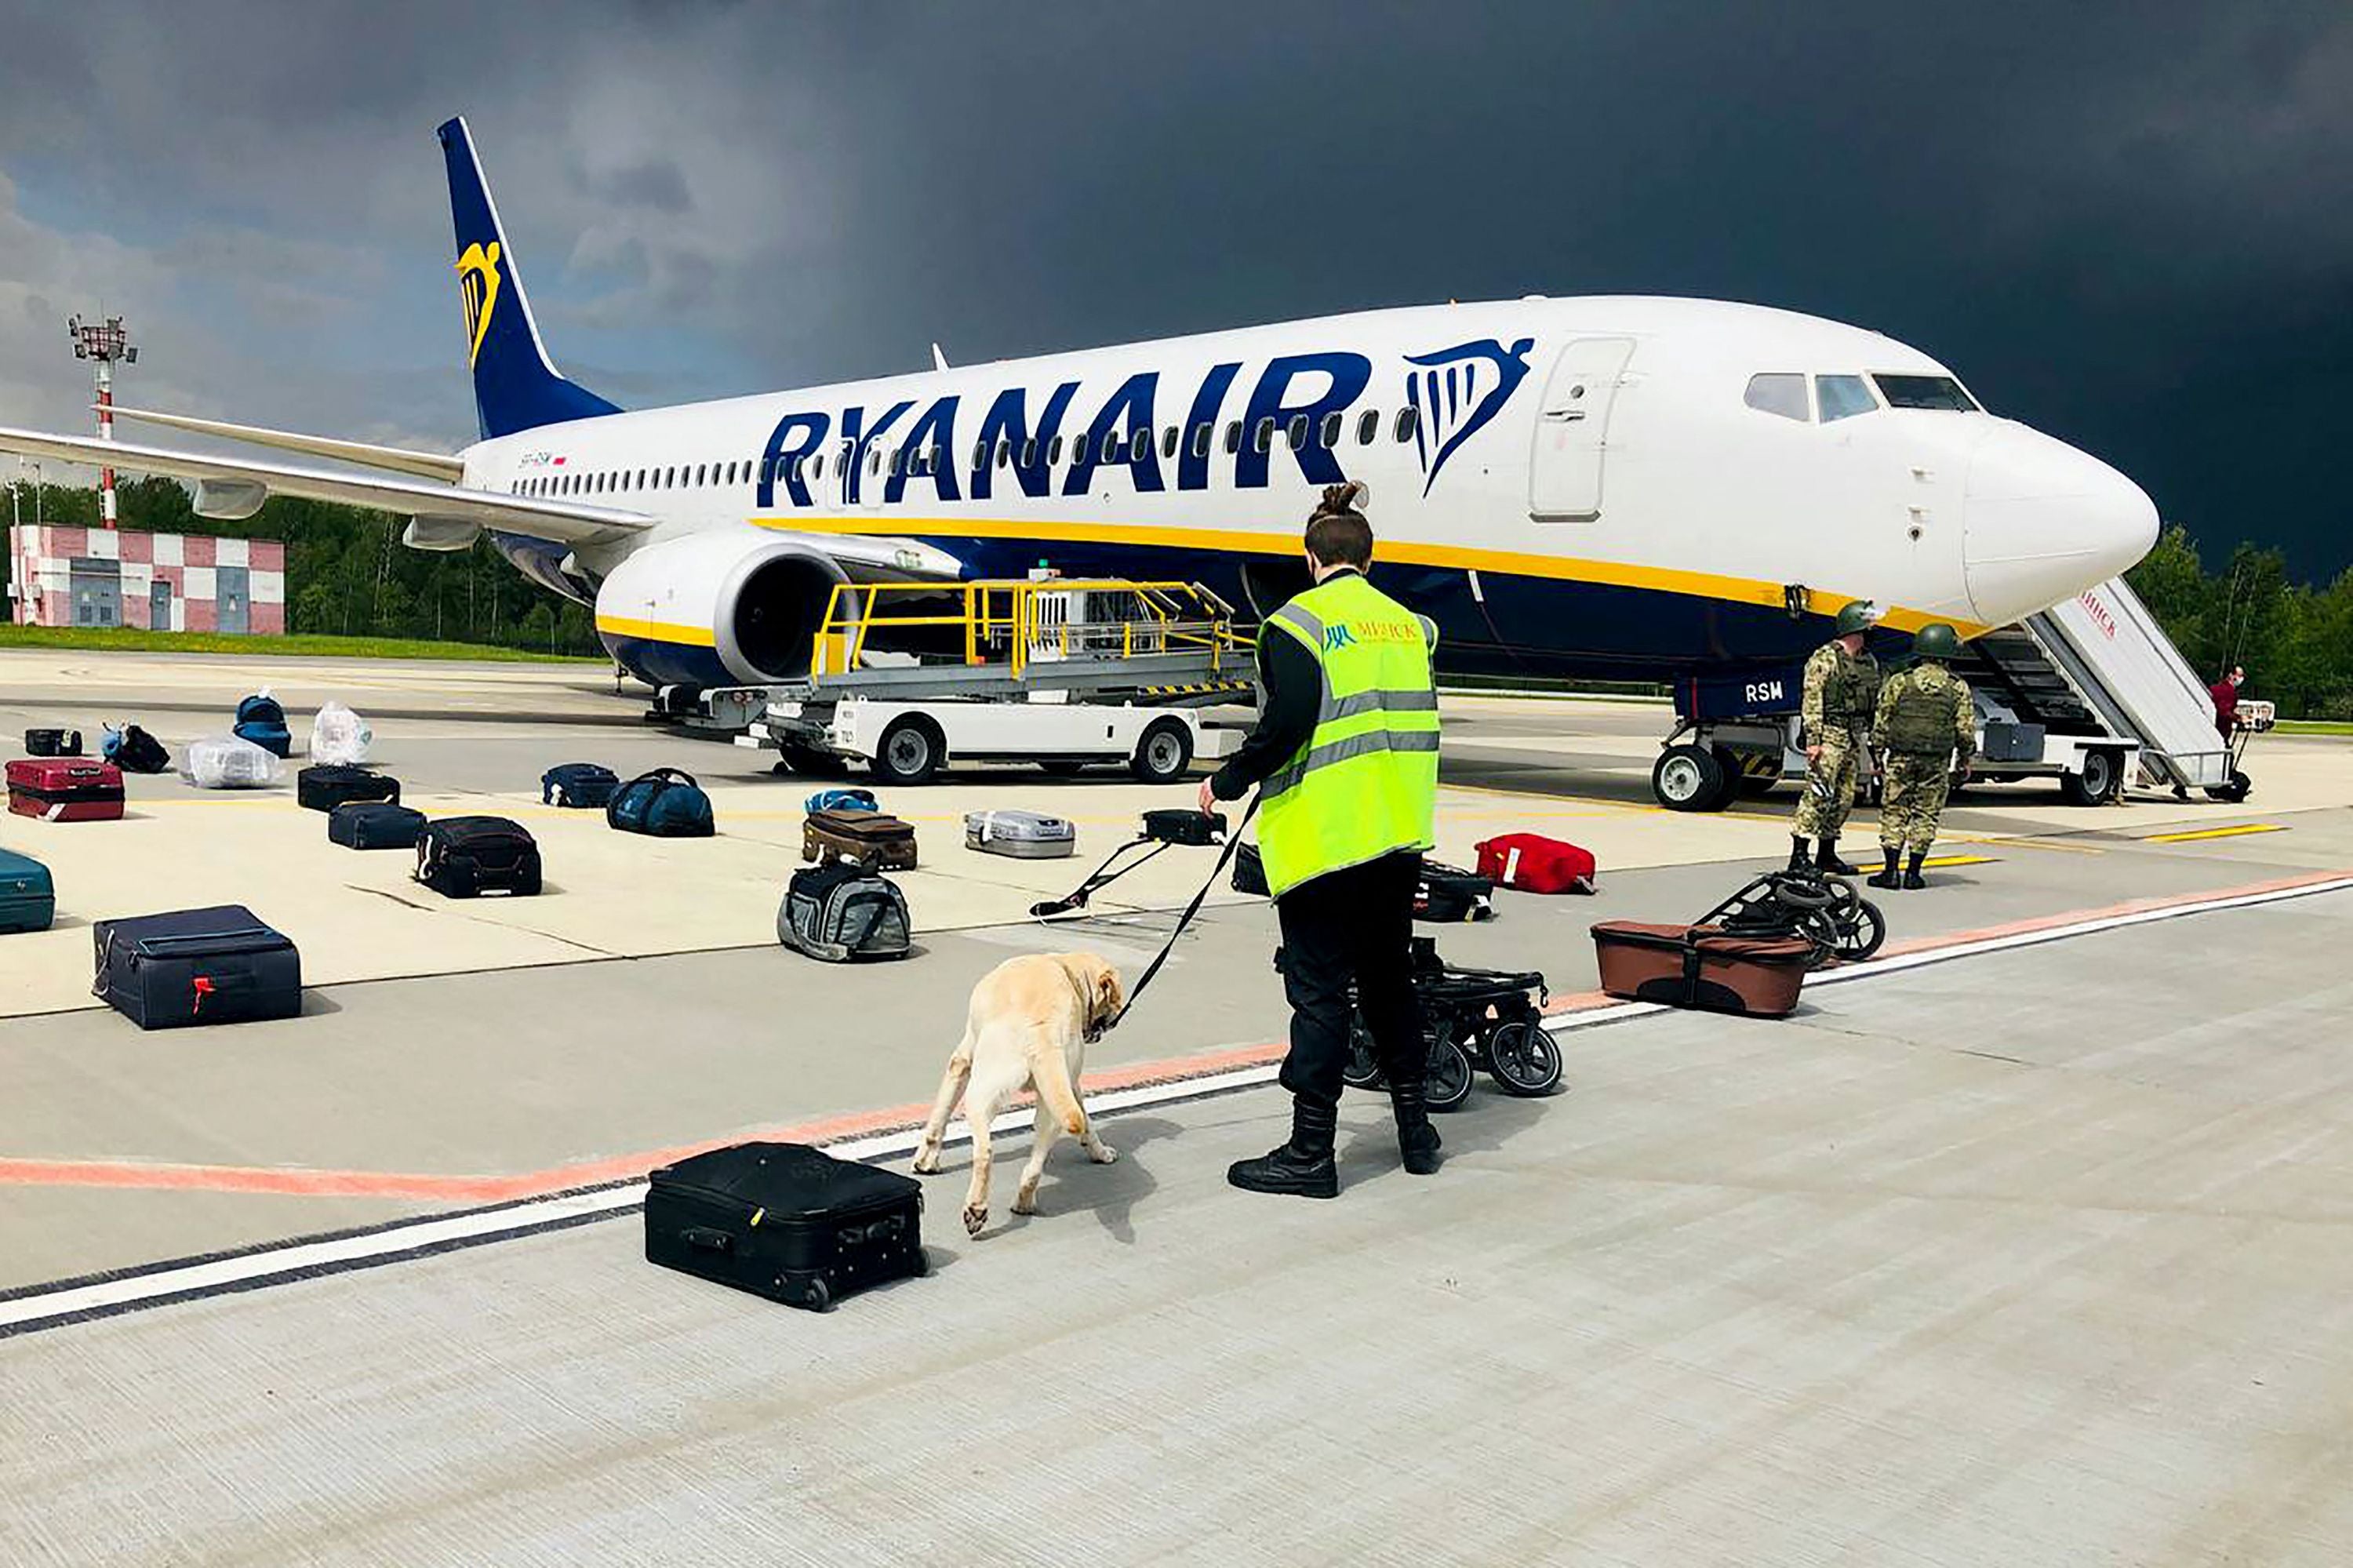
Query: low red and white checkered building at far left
point(154, 583)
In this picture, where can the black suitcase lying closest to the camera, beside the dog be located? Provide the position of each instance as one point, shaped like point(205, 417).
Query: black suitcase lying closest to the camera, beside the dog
point(785, 1221)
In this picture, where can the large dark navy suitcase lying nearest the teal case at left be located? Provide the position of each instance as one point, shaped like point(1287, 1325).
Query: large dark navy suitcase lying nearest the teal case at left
point(196, 966)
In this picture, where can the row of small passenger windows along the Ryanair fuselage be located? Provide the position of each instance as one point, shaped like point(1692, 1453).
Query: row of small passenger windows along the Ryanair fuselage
point(919, 463)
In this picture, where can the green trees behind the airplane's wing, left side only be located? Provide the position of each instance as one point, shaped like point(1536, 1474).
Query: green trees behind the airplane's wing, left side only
point(347, 571)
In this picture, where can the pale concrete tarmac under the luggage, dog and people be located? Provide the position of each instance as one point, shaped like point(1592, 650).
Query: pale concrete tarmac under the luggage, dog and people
point(2027, 1247)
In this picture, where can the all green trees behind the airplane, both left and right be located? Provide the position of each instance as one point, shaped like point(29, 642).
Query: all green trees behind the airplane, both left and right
point(349, 576)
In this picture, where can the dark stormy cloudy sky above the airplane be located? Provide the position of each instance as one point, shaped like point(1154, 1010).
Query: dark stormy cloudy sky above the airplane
point(2124, 225)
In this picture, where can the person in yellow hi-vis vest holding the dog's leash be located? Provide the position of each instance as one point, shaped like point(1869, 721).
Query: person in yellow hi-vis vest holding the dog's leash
point(1345, 757)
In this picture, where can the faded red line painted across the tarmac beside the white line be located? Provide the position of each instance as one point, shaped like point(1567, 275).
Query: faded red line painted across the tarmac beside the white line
point(394, 1185)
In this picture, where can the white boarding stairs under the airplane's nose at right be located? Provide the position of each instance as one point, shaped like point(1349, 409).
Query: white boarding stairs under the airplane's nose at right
point(2100, 665)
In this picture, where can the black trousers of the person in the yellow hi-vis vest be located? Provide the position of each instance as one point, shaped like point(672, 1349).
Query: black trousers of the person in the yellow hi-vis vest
point(1338, 929)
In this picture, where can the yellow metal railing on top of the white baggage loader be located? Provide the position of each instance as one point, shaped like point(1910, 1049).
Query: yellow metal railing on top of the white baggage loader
point(1029, 620)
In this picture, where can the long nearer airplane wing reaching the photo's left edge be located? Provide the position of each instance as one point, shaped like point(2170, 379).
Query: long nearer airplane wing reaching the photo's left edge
point(444, 512)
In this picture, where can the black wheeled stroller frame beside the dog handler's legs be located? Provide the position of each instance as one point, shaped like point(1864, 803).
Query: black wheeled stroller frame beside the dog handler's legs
point(1474, 1021)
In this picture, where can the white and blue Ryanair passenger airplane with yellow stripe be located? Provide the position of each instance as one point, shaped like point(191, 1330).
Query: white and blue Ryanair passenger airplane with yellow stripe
point(1622, 486)
